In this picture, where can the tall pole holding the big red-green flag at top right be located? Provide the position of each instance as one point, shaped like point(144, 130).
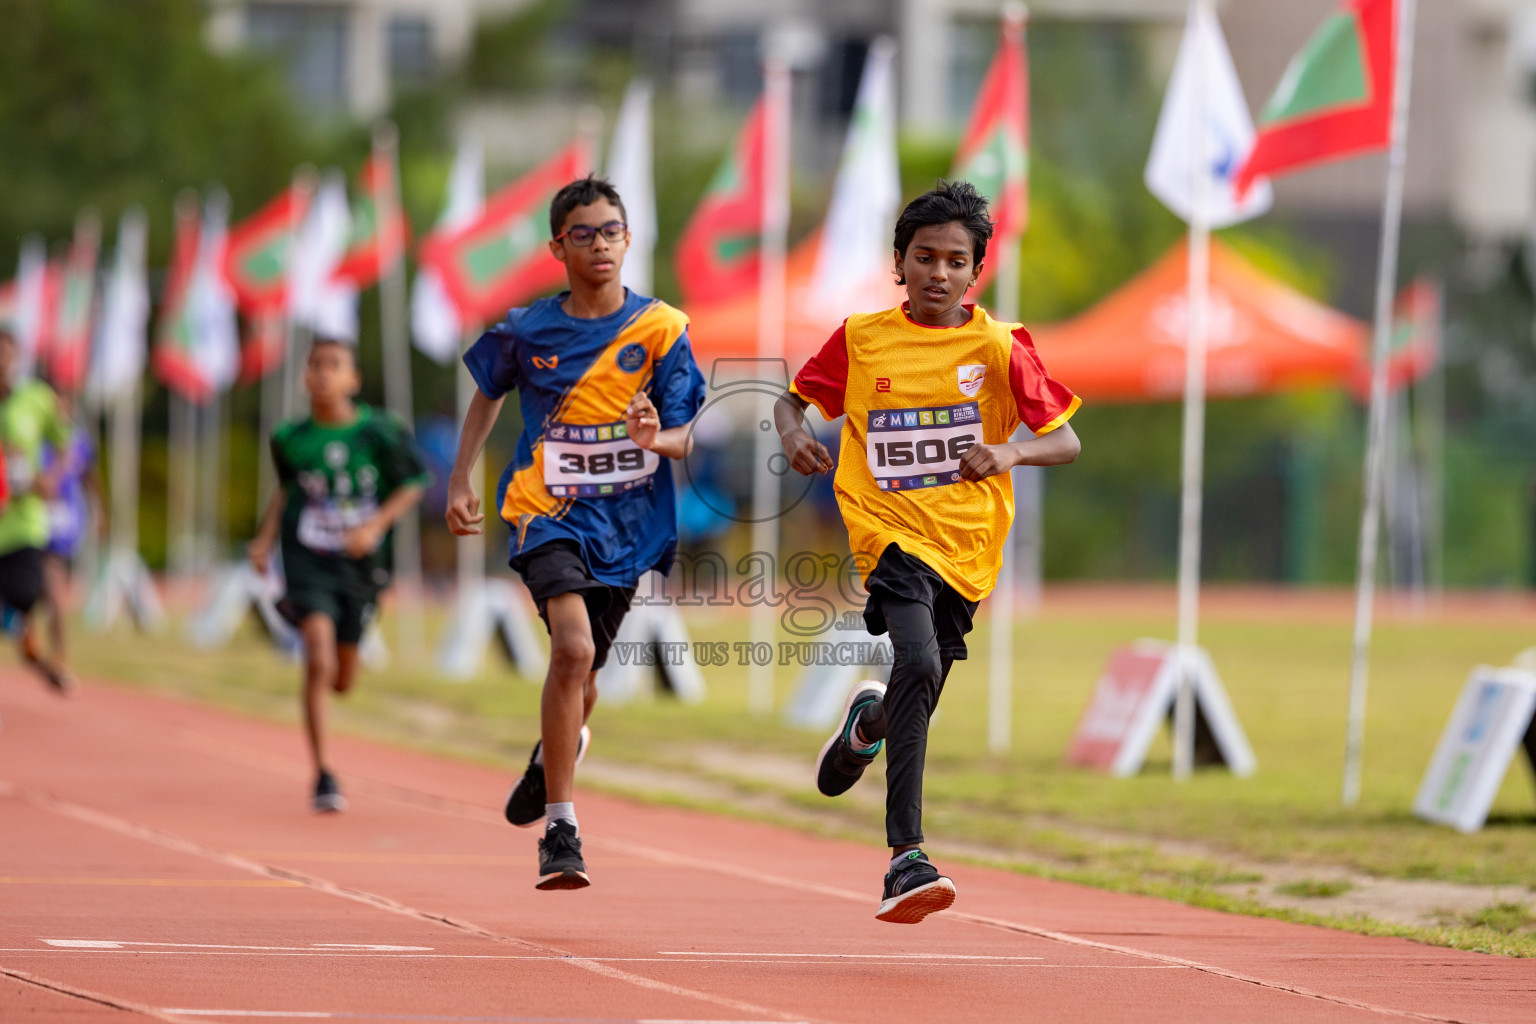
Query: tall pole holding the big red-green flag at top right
point(1375, 438)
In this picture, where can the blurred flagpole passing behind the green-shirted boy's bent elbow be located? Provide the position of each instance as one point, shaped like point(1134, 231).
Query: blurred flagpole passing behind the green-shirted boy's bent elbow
point(399, 389)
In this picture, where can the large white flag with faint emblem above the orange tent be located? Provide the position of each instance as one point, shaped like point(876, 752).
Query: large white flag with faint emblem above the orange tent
point(1205, 113)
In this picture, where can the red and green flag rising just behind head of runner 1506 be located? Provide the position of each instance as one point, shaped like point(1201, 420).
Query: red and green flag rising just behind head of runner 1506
point(995, 151)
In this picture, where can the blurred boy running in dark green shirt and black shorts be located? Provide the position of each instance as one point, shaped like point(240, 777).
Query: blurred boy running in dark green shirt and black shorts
point(346, 474)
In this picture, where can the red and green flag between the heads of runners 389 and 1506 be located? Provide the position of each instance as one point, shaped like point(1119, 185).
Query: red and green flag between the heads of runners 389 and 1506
point(721, 248)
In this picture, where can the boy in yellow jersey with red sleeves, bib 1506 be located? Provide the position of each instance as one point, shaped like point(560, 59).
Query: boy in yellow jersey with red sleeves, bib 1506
point(933, 391)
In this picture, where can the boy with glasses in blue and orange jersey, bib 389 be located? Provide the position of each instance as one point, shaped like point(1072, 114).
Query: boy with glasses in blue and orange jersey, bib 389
point(607, 386)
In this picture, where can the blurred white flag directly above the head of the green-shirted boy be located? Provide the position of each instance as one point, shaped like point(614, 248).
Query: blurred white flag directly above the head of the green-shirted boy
point(317, 300)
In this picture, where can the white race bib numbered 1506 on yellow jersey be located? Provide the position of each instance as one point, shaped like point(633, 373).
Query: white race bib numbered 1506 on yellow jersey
point(912, 449)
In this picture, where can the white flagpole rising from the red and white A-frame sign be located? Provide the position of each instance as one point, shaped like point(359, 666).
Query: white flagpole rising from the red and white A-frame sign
point(1194, 432)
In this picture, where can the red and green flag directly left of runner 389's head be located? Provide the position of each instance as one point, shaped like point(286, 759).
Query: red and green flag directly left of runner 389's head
point(502, 259)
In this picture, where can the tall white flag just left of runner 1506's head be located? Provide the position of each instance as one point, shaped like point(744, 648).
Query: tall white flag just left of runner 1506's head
point(856, 239)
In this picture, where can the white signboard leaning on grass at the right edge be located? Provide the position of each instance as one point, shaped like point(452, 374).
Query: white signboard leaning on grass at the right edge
point(1480, 741)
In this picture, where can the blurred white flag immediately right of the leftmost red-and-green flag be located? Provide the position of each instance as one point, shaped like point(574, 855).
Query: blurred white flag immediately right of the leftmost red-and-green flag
point(124, 331)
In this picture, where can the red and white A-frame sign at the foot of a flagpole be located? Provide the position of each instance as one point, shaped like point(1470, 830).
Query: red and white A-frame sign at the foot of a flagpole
point(1136, 696)
